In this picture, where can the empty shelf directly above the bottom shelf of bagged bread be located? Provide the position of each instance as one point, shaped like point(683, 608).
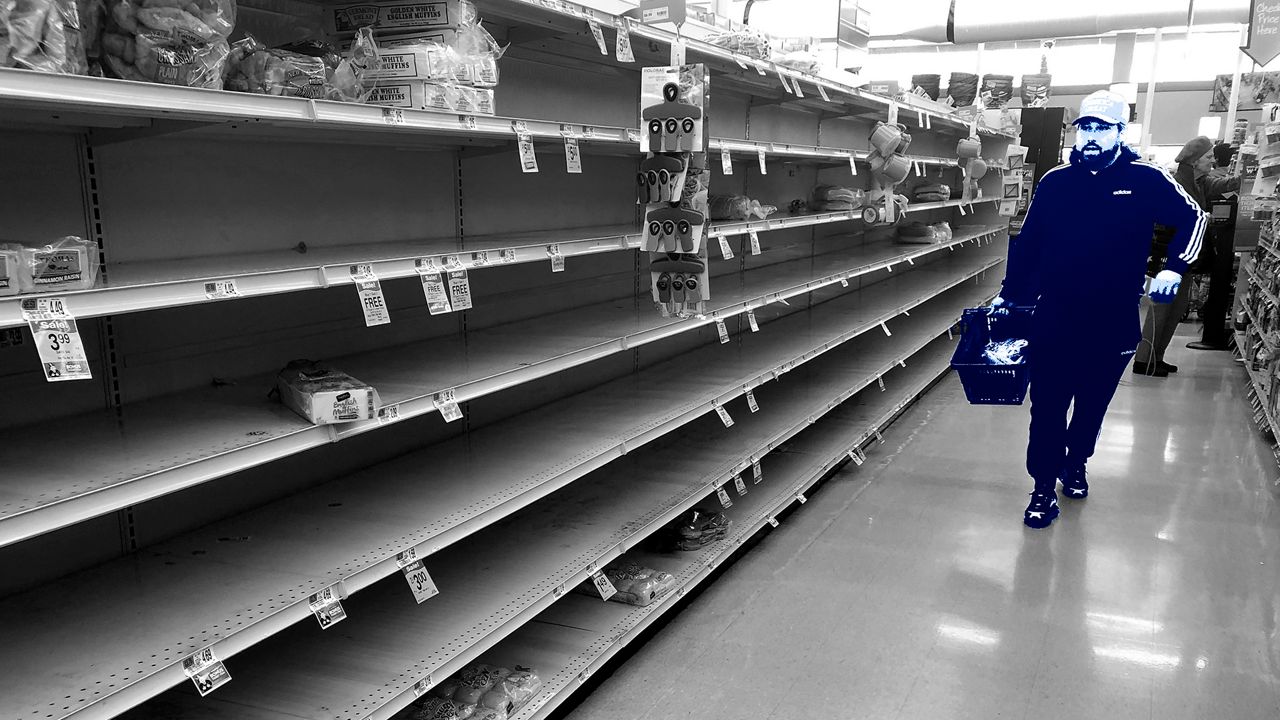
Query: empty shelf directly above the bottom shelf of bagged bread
point(491, 585)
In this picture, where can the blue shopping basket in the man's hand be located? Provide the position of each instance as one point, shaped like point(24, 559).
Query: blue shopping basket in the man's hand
point(986, 384)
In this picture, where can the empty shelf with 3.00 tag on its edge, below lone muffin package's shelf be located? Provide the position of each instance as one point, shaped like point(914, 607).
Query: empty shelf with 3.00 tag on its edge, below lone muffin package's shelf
point(388, 509)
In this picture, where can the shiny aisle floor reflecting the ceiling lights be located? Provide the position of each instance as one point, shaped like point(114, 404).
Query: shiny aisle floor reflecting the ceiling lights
point(909, 589)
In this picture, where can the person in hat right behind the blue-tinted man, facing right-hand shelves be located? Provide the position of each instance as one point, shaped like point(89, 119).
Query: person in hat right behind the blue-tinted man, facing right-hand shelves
point(1195, 162)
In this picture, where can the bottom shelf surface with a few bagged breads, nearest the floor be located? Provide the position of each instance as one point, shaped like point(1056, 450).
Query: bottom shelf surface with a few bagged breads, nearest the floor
point(579, 635)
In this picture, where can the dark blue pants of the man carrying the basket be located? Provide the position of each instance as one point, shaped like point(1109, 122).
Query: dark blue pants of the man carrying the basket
point(1059, 379)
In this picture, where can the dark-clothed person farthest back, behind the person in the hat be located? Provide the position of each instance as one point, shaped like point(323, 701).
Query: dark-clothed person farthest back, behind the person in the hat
point(1219, 256)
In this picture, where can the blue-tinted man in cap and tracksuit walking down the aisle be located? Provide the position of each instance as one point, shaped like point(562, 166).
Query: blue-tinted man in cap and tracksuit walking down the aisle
point(1081, 261)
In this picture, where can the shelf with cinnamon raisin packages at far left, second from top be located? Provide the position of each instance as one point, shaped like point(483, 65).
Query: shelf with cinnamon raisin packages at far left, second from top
point(148, 286)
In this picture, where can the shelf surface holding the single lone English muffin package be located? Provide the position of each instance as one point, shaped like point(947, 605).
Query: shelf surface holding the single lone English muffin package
point(126, 462)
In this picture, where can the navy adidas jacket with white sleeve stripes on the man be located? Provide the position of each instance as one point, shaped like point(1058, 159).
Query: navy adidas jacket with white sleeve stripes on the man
point(1082, 254)
